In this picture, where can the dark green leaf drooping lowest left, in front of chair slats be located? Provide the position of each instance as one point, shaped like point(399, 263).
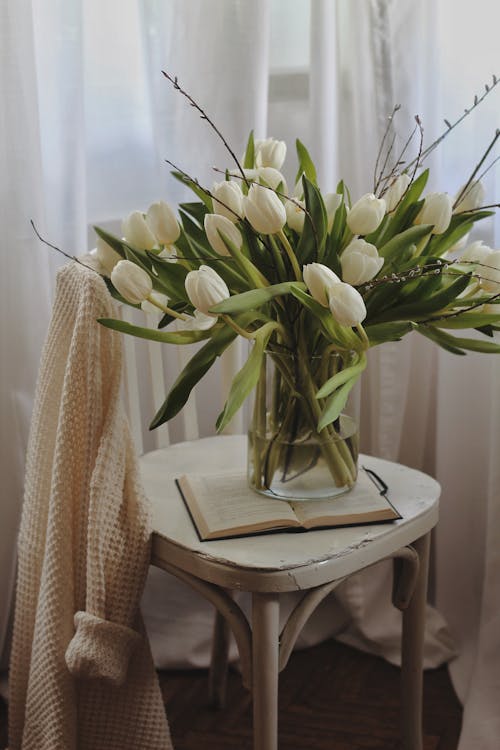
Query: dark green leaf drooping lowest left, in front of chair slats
point(192, 373)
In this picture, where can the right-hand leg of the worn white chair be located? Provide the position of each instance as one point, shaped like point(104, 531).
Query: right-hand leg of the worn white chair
point(412, 653)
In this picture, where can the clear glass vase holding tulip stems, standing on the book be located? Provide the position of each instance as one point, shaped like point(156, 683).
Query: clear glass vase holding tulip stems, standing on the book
point(288, 458)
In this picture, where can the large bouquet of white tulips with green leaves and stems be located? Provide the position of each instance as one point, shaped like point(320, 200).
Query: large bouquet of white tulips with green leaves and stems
point(313, 280)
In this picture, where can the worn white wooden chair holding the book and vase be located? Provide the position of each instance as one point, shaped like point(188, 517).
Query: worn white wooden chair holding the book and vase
point(266, 566)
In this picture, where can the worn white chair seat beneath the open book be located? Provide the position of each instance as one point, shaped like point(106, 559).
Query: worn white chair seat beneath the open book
point(282, 561)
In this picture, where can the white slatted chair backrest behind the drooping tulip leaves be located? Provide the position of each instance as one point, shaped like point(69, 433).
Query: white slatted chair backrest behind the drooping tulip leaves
point(150, 368)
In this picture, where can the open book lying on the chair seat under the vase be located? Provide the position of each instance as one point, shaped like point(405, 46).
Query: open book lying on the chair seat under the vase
point(222, 505)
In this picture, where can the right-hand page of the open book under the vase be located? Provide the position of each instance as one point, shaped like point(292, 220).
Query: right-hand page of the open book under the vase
point(363, 503)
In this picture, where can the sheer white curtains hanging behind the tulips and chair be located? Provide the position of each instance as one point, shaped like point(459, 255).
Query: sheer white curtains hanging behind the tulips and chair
point(89, 120)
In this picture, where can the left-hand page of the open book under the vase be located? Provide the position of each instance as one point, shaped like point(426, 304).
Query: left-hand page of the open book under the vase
point(223, 504)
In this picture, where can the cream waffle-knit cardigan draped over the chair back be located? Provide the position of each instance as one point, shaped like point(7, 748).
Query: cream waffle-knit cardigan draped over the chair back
point(82, 676)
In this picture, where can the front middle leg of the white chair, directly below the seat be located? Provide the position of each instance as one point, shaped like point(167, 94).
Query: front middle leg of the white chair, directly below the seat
point(265, 631)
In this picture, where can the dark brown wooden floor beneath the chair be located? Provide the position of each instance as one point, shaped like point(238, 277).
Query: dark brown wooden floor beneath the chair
point(331, 698)
